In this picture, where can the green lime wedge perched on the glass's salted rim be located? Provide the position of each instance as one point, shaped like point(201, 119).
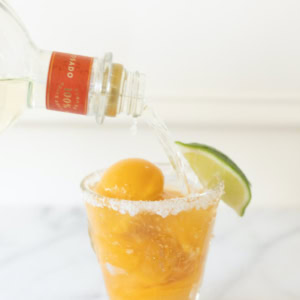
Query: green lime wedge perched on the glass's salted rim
point(210, 165)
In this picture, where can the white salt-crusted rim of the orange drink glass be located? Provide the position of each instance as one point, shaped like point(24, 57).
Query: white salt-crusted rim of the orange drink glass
point(160, 207)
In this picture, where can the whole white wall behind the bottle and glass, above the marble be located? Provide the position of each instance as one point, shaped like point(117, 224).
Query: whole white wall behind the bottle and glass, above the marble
point(226, 73)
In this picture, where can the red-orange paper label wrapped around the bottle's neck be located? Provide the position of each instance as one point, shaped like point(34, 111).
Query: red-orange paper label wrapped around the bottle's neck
point(68, 83)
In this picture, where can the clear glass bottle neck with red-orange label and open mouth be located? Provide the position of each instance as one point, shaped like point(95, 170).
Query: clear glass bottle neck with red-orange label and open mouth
point(85, 85)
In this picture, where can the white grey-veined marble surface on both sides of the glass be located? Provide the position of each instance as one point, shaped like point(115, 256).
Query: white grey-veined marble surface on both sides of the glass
point(45, 254)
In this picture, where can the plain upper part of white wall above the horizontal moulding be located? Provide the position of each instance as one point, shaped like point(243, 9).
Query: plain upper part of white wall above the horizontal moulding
point(216, 48)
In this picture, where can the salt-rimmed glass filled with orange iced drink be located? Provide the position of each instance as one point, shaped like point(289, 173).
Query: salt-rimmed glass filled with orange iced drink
point(151, 249)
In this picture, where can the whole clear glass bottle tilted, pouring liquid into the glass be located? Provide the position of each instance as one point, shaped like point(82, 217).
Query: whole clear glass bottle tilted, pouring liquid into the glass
point(34, 78)
